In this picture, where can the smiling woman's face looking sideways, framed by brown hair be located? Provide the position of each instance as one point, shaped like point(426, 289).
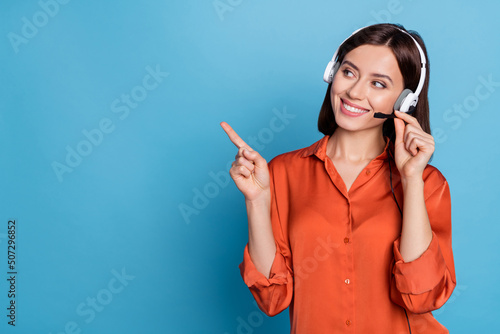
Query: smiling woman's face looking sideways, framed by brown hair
point(368, 81)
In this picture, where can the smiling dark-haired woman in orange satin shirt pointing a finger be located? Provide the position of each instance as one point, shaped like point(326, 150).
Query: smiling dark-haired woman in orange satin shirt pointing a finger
point(354, 232)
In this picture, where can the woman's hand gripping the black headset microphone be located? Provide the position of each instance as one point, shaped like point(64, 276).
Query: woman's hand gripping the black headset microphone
point(413, 147)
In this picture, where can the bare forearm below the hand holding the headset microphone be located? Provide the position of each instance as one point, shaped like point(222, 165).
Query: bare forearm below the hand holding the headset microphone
point(416, 233)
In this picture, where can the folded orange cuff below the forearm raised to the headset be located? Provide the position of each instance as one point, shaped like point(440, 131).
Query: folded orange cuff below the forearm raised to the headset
point(422, 274)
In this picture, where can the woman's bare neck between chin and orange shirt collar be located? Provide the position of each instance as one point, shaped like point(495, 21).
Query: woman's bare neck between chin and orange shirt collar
point(355, 146)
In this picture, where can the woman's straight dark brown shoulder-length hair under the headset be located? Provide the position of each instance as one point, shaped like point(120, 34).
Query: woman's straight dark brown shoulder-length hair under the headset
point(408, 58)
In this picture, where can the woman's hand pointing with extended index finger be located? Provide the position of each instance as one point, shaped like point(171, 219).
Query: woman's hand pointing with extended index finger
point(249, 170)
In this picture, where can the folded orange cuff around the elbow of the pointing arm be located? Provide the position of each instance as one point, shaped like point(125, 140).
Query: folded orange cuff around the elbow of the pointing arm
point(252, 277)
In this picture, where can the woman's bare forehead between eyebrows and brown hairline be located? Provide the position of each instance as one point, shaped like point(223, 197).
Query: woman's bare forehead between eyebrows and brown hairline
point(375, 59)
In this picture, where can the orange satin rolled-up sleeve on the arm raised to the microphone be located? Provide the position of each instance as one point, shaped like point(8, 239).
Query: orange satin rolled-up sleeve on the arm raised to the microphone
point(427, 282)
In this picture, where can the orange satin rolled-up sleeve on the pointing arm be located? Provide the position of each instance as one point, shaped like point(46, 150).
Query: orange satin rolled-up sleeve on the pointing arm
point(272, 294)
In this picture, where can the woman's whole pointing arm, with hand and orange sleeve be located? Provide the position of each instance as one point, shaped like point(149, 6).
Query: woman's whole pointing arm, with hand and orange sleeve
point(266, 266)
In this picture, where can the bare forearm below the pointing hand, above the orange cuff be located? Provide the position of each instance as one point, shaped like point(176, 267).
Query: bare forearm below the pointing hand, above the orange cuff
point(261, 244)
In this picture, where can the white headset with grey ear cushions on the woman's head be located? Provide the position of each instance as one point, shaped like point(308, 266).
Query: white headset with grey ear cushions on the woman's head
point(407, 100)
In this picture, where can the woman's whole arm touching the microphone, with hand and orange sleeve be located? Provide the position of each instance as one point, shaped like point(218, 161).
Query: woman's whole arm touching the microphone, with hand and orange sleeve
point(423, 274)
